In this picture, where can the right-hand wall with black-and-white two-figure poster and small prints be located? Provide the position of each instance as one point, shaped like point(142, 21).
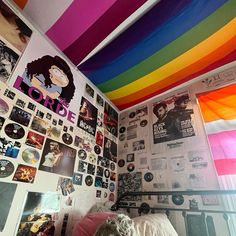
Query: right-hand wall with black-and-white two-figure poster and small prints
point(163, 147)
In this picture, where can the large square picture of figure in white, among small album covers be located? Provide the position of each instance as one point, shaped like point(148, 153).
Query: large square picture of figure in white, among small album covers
point(57, 158)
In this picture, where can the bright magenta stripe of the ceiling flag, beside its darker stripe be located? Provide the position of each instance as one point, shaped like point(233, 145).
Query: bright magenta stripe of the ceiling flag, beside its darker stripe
point(79, 16)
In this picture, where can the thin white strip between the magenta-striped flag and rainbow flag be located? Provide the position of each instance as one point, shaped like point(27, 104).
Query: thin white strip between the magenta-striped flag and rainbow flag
point(122, 27)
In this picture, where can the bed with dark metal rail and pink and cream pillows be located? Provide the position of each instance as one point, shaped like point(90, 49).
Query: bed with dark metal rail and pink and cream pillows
point(197, 221)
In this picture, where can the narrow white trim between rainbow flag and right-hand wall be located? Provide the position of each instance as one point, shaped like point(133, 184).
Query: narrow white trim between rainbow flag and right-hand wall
point(188, 83)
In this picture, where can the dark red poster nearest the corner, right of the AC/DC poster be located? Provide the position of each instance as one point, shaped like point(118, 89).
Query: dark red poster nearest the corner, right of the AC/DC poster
point(110, 119)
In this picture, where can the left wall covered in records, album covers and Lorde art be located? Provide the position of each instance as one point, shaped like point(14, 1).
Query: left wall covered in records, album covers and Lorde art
point(58, 141)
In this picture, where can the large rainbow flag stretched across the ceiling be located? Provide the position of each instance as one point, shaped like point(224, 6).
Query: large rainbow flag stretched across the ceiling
point(174, 42)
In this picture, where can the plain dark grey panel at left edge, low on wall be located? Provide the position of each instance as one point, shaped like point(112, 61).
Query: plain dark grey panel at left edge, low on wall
point(7, 192)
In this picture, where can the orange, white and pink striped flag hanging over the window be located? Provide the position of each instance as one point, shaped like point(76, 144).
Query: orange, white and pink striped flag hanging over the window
point(219, 113)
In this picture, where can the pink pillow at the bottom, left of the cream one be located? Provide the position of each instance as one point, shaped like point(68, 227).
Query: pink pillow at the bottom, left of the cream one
point(90, 223)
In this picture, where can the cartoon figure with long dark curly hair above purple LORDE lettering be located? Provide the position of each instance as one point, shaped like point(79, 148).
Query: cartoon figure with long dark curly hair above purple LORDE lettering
point(49, 81)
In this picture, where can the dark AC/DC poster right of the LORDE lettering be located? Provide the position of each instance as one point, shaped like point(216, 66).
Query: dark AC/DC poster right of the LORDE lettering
point(87, 117)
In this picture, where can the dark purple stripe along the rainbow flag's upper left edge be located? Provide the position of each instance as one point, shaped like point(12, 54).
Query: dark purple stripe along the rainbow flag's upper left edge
point(150, 21)
